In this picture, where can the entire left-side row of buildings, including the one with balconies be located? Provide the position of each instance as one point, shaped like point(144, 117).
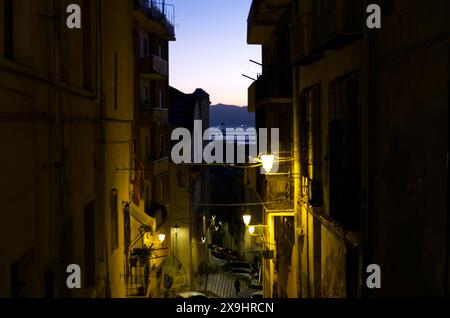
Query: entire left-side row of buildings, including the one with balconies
point(86, 187)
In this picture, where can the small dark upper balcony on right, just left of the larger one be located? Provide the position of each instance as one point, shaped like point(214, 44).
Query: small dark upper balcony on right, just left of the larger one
point(302, 49)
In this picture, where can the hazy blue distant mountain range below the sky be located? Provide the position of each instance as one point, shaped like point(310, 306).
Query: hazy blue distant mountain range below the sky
point(231, 116)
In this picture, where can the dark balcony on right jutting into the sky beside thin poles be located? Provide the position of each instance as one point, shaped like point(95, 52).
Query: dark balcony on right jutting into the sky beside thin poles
point(273, 87)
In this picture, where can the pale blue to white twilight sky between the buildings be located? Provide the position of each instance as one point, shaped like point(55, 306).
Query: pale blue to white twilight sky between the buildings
point(211, 50)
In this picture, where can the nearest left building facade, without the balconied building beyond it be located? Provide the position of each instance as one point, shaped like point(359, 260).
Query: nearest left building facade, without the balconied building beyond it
point(62, 115)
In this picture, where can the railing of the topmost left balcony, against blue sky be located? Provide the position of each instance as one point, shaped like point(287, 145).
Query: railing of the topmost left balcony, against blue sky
point(158, 11)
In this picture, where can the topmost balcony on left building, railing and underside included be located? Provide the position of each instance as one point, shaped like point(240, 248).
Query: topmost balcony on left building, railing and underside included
point(156, 16)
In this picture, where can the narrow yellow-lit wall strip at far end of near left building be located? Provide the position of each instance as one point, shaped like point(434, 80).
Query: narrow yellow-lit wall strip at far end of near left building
point(117, 44)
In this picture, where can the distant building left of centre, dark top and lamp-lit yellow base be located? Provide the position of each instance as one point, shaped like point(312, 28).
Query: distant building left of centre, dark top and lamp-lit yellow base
point(190, 192)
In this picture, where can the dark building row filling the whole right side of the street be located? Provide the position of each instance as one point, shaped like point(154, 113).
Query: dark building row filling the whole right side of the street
point(356, 107)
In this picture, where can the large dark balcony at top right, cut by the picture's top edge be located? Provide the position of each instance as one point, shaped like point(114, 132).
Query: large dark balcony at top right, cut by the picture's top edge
point(336, 23)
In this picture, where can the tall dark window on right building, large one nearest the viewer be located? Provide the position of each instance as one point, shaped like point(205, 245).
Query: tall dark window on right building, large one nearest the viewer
point(344, 152)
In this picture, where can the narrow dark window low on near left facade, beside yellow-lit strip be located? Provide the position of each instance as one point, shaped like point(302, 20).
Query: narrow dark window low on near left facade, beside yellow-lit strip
point(89, 245)
